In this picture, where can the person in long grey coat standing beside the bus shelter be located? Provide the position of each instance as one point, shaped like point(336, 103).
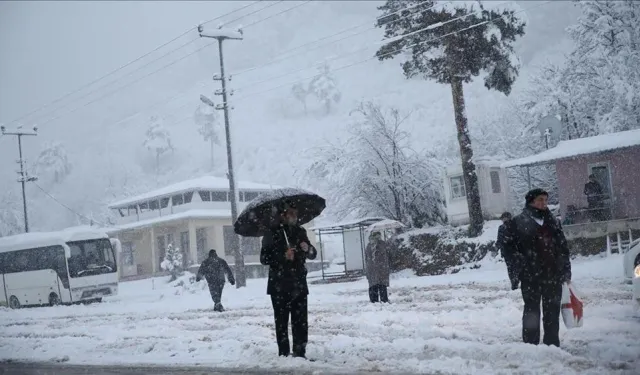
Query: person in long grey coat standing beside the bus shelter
point(377, 268)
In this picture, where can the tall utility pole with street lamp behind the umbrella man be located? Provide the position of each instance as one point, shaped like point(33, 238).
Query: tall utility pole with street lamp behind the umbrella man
point(220, 35)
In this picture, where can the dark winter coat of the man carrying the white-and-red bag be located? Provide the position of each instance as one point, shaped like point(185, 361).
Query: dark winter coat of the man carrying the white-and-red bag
point(539, 251)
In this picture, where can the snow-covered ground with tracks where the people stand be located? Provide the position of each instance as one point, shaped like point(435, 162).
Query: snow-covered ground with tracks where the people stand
point(464, 323)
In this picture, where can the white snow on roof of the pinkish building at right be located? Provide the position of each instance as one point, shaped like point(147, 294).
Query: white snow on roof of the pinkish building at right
point(581, 146)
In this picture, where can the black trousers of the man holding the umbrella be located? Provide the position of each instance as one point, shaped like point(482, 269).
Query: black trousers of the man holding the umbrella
point(285, 305)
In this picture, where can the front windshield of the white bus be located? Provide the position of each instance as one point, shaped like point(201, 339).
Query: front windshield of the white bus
point(92, 257)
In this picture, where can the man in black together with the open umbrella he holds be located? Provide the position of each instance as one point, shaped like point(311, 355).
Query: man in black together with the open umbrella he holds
point(278, 217)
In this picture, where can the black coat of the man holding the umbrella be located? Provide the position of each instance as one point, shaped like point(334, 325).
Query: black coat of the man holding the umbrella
point(286, 276)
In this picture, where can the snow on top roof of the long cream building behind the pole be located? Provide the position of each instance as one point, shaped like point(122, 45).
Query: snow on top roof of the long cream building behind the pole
point(202, 183)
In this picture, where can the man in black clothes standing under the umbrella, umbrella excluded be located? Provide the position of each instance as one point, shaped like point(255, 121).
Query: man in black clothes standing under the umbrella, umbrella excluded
point(285, 249)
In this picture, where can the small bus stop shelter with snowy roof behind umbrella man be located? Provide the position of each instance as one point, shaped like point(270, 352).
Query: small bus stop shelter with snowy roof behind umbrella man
point(354, 242)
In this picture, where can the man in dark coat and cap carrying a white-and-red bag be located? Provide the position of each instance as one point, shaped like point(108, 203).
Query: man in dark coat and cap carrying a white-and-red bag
point(542, 264)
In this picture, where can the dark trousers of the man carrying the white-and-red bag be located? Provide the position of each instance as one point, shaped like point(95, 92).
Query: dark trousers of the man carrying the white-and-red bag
point(550, 293)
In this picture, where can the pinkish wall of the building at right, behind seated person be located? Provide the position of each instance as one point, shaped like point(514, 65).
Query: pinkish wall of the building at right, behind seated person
point(625, 180)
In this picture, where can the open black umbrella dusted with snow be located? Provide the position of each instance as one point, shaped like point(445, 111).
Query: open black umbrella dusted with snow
point(262, 212)
